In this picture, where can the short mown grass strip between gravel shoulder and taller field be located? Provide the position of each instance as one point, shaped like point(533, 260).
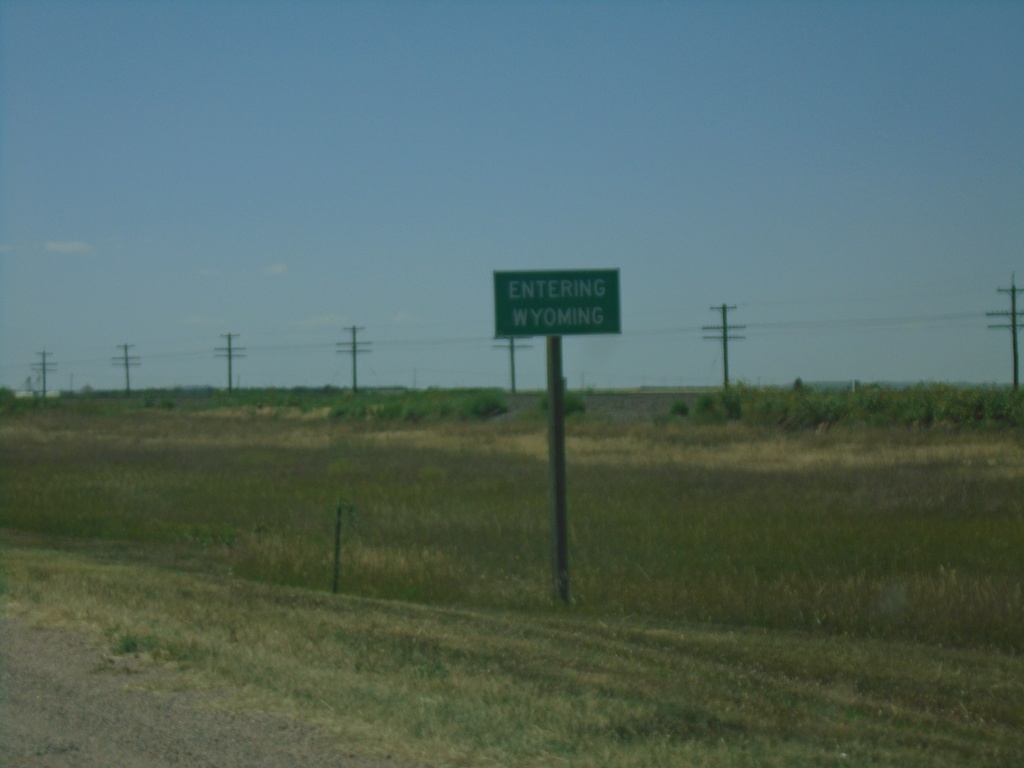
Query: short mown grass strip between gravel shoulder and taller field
point(486, 688)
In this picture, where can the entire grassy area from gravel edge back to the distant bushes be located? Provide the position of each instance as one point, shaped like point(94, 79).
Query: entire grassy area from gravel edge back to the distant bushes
point(742, 596)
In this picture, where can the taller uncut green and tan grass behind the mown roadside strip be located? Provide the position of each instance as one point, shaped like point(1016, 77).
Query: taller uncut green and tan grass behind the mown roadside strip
point(913, 536)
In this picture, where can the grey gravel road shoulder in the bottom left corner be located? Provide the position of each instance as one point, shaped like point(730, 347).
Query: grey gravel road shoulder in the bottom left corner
point(65, 702)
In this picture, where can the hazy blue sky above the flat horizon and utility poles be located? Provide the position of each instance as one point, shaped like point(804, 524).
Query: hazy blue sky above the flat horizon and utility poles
point(849, 176)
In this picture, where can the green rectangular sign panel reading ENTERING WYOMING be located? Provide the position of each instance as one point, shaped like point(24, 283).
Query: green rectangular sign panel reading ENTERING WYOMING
point(563, 303)
